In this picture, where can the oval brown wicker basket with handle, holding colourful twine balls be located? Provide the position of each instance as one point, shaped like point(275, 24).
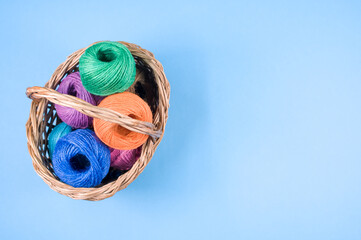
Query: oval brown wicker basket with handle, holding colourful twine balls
point(151, 84)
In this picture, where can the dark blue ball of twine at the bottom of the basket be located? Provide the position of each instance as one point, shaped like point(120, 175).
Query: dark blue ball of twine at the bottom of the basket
point(80, 159)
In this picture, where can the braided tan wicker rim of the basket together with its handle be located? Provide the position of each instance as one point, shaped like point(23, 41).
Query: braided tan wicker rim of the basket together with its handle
point(36, 124)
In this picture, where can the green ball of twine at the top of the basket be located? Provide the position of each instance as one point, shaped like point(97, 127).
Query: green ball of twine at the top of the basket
point(107, 68)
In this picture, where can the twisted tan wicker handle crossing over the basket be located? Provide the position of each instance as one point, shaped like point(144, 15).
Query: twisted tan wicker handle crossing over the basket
point(93, 111)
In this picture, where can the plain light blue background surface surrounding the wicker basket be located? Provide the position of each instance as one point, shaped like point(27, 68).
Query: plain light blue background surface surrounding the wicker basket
point(264, 133)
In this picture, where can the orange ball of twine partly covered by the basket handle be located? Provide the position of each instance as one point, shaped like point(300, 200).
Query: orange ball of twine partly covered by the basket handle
point(113, 134)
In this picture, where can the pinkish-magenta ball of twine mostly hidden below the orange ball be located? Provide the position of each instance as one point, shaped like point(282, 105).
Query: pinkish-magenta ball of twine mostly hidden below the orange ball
point(124, 159)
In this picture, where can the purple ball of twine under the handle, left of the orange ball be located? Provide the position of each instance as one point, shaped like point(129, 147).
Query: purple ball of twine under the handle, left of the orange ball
point(72, 85)
